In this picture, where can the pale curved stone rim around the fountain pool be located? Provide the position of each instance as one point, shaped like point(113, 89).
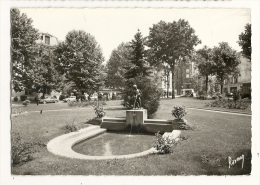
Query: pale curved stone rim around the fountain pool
point(62, 145)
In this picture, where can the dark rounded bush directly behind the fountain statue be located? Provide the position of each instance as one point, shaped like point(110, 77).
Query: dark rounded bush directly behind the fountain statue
point(150, 95)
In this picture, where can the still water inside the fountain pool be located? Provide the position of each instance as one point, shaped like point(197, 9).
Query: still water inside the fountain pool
point(109, 144)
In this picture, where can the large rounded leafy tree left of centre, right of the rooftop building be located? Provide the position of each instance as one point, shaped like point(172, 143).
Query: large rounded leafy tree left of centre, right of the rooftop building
point(79, 58)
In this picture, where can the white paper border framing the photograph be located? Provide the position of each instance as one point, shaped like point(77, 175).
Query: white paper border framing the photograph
point(6, 178)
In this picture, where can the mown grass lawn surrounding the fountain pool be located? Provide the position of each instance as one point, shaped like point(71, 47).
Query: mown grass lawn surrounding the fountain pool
point(204, 152)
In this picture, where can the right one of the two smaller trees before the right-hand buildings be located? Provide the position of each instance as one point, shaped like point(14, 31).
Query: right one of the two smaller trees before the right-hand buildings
point(225, 62)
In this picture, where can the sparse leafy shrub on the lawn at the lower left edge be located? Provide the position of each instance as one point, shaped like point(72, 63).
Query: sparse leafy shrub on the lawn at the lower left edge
point(22, 151)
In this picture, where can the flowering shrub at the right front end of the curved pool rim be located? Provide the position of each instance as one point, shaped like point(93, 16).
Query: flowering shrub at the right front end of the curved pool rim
point(164, 145)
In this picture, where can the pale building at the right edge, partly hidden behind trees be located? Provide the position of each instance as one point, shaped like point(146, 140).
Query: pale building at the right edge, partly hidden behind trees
point(241, 82)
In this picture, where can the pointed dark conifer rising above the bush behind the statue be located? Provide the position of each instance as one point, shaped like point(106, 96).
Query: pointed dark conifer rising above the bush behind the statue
point(138, 64)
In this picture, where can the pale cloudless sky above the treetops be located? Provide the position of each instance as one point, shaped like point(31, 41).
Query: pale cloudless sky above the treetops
point(112, 26)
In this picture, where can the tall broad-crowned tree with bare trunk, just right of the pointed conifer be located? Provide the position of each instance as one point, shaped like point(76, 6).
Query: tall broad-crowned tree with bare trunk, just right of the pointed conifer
point(171, 43)
